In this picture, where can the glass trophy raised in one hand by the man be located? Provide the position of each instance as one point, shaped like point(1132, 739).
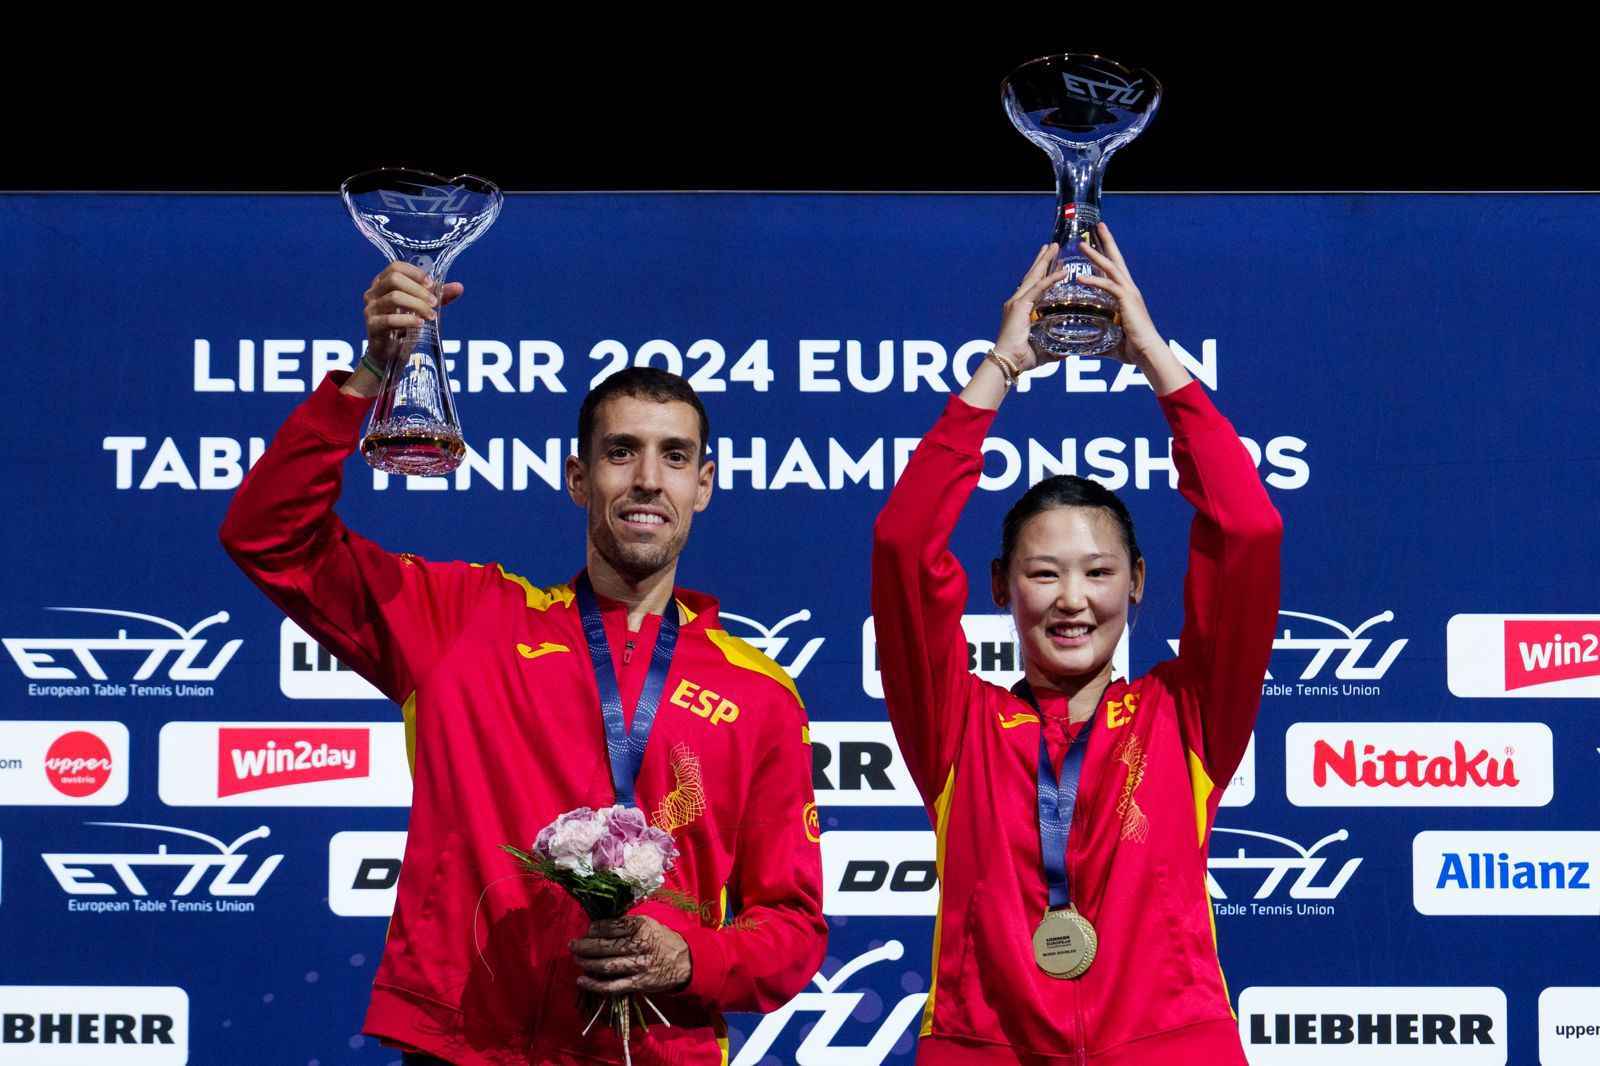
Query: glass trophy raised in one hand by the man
point(423, 220)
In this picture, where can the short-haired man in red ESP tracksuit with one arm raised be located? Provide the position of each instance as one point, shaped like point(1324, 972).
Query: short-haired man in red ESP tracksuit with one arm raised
point(503, 718)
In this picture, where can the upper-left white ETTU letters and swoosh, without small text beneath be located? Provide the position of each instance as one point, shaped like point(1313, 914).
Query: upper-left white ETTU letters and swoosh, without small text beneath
point(38, 657)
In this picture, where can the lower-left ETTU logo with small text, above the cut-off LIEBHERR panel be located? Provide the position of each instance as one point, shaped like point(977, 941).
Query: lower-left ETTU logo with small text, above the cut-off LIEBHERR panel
point(110, 875)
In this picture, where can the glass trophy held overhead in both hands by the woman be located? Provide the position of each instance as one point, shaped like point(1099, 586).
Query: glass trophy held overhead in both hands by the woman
point(1081, 110)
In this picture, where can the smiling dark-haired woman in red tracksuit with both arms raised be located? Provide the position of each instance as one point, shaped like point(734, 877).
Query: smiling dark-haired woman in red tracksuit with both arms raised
point(1094, 945)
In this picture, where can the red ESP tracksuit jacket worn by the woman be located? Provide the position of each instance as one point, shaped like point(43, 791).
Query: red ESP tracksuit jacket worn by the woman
point(1154, 772)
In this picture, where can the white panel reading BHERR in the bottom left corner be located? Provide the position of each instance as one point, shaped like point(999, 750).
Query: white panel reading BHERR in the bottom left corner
point(89, 1025)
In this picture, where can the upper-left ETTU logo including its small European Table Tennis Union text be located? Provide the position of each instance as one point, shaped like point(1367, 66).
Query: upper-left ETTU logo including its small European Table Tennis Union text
point(36, 657)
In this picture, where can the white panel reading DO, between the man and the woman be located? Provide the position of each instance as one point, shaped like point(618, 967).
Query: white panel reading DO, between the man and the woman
point(881, 873)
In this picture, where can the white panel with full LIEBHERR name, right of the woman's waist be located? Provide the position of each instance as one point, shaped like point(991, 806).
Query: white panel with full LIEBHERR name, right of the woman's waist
point(1374, 1027)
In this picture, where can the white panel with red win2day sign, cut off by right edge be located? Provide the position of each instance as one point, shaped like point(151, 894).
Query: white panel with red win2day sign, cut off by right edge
point(1524, 657)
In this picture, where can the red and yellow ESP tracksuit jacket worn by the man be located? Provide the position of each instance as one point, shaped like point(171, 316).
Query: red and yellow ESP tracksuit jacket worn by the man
point(503, 716)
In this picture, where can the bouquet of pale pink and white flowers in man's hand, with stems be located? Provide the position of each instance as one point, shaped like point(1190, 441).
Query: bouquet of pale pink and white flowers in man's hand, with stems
point(609, 860)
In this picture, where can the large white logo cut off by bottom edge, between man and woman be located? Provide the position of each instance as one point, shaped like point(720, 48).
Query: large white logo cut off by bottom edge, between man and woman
point(836, 1008)
